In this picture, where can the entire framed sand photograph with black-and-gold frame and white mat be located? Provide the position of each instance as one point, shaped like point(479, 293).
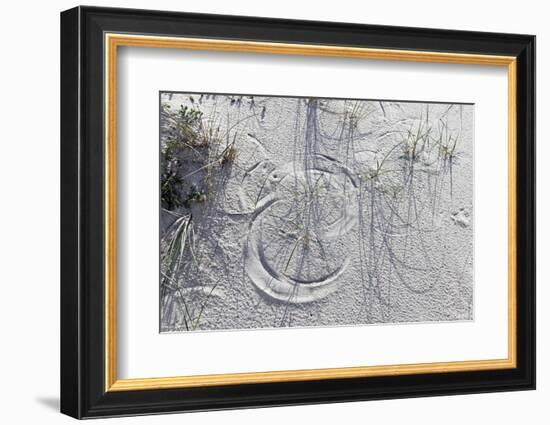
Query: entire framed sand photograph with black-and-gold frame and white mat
point(261, 212)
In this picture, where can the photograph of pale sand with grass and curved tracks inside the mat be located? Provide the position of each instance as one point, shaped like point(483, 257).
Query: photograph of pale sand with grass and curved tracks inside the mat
point(279, 212)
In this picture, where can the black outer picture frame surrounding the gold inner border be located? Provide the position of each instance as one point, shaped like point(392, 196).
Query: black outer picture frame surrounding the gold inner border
point(83, 392)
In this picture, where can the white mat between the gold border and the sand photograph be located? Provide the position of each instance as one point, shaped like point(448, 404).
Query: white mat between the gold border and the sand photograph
point(140, 344)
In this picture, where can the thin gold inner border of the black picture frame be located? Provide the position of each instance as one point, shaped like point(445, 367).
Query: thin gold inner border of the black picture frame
point(111, 43)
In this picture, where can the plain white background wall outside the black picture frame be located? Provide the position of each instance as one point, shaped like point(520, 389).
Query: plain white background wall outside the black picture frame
point(29, 225)
